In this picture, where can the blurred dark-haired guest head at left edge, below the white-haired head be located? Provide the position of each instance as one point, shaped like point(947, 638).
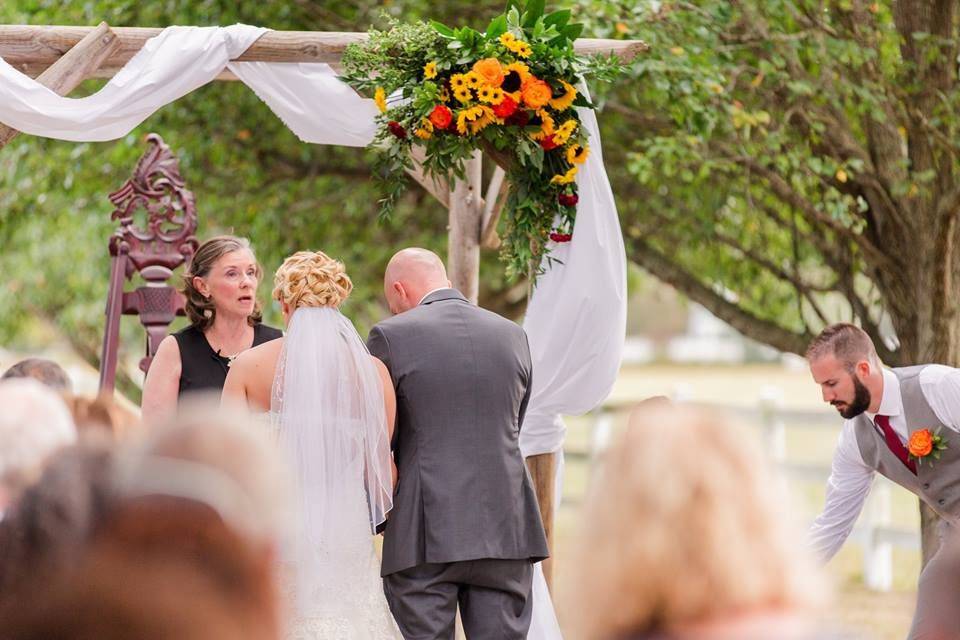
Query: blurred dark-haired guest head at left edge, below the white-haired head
point(47, 531)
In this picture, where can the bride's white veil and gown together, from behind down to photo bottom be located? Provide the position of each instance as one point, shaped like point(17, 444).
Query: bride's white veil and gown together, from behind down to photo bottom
point(328, 419)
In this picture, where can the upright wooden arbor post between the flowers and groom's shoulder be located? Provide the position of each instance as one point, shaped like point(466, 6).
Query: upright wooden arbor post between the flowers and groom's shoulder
point(463, 246)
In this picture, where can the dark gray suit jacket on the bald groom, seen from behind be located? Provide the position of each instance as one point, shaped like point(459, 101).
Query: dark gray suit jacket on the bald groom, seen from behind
point(462, 376)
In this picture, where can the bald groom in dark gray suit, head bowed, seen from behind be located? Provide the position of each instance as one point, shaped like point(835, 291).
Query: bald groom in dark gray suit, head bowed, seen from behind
point(465, 528)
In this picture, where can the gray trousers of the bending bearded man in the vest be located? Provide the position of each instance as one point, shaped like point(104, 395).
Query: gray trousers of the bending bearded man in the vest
point(938, 594)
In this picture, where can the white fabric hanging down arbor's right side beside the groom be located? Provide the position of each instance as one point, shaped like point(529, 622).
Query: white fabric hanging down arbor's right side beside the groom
point(577, 317)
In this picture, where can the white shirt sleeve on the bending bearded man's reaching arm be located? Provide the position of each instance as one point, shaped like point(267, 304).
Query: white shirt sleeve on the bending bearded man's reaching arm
point(847, 490)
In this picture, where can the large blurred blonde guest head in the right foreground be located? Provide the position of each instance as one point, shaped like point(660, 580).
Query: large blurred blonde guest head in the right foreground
point(686, 536)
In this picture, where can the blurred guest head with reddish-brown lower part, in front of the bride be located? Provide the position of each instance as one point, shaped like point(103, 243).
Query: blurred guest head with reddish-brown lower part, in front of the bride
point(205, 492)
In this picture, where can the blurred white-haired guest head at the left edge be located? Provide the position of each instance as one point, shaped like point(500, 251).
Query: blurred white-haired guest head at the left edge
point(34, 423)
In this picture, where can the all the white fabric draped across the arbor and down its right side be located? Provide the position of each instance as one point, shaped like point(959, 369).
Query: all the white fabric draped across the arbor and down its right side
point(577, 316)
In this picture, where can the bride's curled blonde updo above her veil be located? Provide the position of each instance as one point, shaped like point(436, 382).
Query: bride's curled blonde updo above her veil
point(311, 279)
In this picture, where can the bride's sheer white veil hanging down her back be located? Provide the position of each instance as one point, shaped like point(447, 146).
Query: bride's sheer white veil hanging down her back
point(328, 408)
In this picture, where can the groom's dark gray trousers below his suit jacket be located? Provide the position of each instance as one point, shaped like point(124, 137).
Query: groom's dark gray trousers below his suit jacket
point(494, 597)
